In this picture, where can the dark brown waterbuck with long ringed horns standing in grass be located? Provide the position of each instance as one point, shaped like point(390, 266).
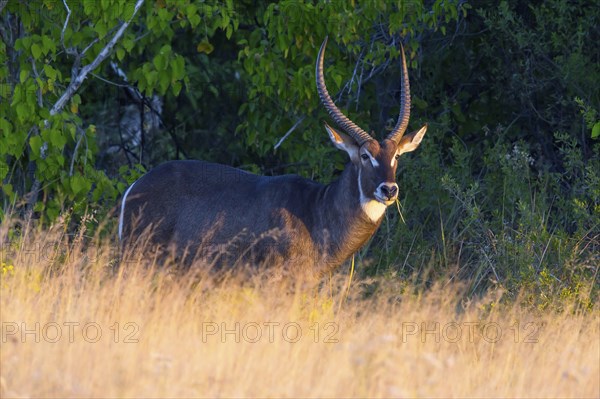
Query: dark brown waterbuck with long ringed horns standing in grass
point(282, 220)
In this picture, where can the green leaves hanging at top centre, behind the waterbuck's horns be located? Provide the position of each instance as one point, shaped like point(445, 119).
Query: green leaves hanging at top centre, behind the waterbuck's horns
point(278, 57)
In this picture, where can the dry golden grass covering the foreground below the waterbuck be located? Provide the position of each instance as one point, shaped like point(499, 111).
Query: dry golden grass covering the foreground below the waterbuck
point(167, 335)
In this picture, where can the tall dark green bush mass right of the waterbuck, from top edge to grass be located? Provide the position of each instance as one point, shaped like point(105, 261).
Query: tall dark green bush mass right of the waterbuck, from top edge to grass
point(504, 191)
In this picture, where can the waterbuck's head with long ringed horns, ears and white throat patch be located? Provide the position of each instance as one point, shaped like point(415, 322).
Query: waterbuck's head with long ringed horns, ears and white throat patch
point(376, 161)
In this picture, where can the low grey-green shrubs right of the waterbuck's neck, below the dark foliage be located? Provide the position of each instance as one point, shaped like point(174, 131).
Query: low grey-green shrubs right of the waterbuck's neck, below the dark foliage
point(508, 223)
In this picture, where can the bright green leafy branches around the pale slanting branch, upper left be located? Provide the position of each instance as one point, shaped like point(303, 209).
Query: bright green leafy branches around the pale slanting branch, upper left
point(48, 160)
